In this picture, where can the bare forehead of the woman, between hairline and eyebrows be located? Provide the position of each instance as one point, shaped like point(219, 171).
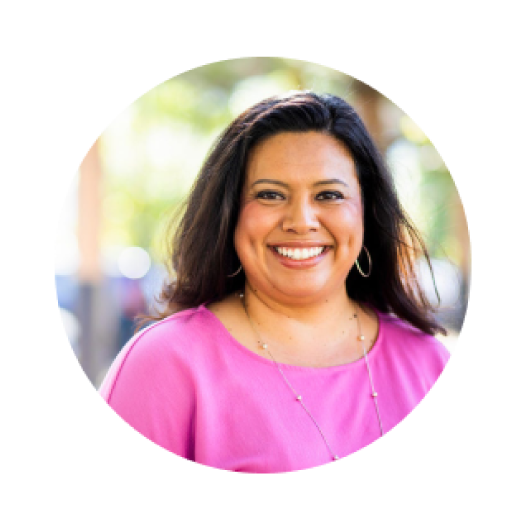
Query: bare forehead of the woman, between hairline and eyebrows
point(305, 155)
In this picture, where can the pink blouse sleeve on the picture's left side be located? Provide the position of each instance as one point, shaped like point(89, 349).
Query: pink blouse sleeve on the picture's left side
point(149, 387)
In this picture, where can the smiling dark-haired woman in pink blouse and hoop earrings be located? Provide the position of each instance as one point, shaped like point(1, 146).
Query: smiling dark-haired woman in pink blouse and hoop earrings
point(295, 333)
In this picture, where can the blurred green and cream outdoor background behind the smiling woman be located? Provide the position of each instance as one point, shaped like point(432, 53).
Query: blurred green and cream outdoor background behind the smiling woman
point(110, 238)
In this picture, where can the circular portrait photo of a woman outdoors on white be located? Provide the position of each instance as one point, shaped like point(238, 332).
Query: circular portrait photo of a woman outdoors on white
point(262, 266)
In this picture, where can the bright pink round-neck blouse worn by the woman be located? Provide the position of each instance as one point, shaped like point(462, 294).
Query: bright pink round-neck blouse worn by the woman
point(186, 385)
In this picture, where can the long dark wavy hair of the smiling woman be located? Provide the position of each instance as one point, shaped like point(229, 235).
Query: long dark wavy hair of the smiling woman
point(202, 246)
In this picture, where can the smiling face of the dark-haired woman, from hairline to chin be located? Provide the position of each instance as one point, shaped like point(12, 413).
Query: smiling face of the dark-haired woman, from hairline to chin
point(301, 191)
